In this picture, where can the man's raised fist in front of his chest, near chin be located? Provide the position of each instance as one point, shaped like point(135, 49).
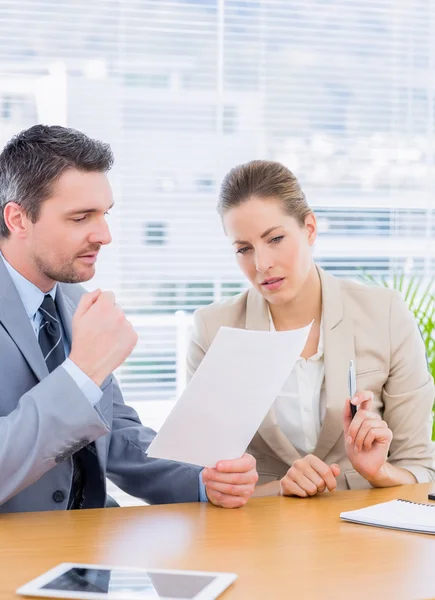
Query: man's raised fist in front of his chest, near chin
point(102, 338)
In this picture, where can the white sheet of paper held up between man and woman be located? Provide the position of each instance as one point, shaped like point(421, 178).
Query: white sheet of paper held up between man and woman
point(231, 392)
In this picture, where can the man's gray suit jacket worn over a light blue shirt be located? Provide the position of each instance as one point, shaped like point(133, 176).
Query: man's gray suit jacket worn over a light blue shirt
point(45, 418)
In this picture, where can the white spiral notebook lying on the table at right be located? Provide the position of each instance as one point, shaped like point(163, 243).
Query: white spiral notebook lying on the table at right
point(397, 514)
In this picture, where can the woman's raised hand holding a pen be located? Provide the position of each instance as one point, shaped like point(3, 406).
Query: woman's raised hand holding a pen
point(367, 437)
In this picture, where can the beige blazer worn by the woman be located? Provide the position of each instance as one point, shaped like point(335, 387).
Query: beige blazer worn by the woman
point(371, 325)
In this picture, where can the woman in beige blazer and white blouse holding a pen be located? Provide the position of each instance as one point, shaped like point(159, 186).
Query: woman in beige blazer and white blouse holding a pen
point(309, 441)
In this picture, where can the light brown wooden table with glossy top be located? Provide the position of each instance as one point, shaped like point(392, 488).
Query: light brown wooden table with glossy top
point(281, 548)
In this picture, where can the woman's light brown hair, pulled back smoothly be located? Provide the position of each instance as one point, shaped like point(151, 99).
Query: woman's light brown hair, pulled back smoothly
point(263, 179)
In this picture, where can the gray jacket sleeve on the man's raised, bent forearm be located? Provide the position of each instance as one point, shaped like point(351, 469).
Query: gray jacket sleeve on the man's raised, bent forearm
point(51, 420)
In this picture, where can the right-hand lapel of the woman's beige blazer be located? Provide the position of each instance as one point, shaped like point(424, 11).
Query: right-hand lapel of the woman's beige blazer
point(339, 348)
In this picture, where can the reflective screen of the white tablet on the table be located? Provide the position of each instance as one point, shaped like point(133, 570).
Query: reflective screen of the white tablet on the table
point(119, 581)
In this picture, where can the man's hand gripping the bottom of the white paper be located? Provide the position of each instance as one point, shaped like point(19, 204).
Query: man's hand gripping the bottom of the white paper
point(232, 482)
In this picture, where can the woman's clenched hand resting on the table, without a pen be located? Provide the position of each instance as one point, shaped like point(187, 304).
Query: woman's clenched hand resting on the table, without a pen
point(309, 476)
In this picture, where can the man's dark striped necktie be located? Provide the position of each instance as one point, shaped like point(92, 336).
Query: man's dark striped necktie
point(51, 343)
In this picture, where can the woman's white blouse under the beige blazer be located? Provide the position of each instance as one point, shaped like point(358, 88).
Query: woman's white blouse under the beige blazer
point(298, 407)
